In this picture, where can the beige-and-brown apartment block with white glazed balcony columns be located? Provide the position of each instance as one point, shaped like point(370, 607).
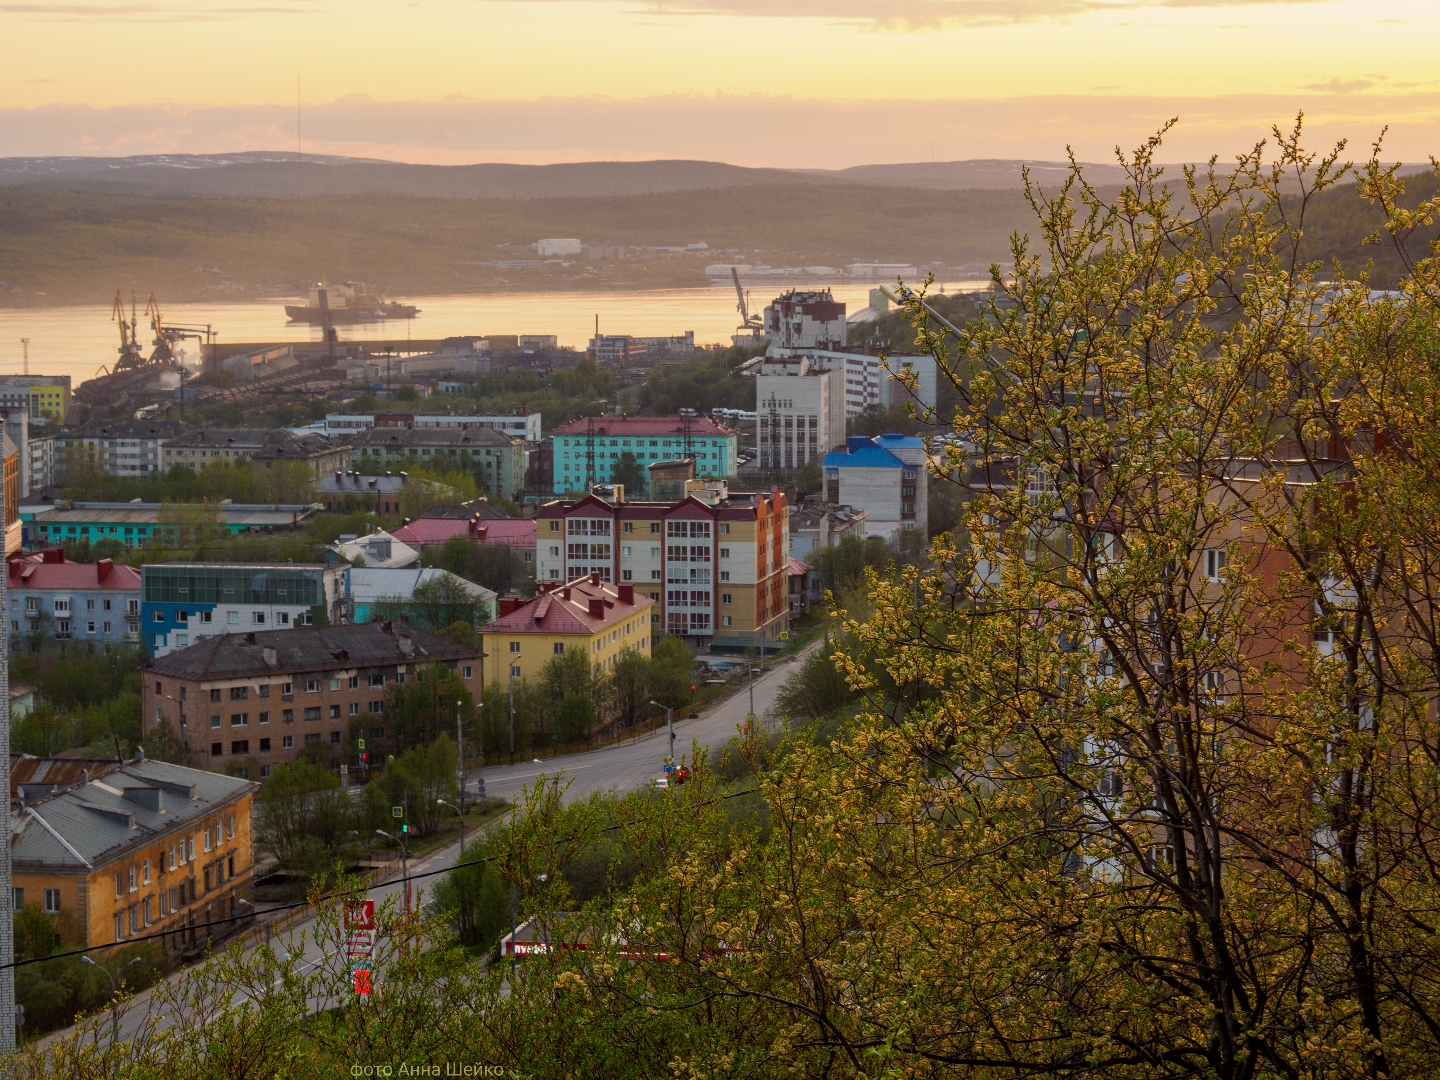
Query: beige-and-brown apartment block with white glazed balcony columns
point(715, 562)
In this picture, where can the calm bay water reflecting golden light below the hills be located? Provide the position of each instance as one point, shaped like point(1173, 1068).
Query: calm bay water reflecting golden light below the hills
point(78, 341)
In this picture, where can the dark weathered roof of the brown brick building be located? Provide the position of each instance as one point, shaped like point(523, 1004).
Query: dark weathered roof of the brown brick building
point(307, 649)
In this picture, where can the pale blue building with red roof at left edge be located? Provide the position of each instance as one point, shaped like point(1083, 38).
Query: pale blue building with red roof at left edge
point(96, 603)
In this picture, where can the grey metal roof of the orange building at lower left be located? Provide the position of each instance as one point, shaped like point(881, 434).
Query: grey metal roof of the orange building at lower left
point(113, 809)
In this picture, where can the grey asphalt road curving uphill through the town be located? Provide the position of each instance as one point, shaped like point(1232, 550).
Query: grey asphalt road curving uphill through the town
point(618, 768)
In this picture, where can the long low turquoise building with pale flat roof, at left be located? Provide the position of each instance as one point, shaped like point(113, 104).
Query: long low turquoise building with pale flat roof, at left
point(161, 525)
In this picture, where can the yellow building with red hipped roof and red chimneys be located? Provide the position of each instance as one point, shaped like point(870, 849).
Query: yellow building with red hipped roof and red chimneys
point(590, 616)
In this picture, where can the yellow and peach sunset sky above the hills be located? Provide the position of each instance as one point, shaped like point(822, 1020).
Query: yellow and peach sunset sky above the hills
point(822, 84)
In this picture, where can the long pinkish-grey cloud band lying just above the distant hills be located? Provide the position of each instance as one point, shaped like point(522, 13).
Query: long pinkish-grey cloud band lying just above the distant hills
point(750, 130)
